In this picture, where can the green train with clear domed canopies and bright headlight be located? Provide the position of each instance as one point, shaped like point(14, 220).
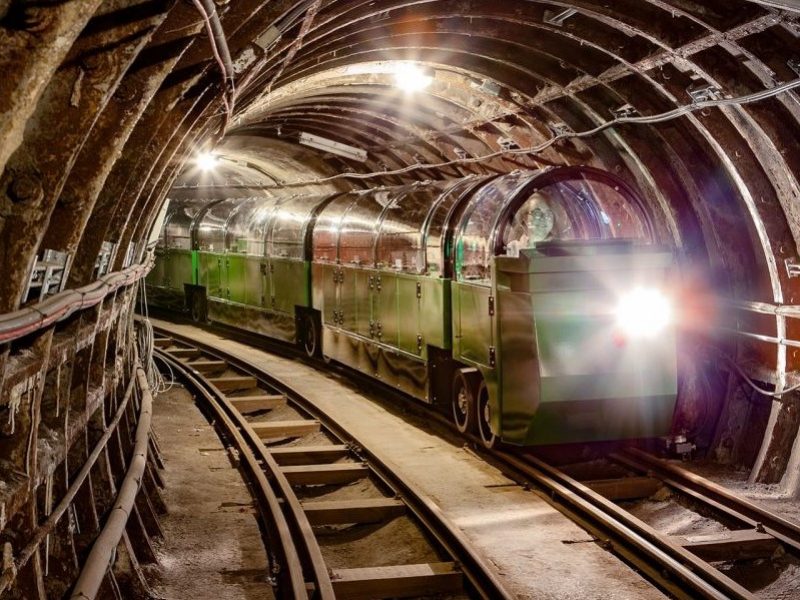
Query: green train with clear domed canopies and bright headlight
point(533, 306)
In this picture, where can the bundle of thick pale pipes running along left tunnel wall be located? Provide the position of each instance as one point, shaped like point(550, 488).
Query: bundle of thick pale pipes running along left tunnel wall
point(24, 321)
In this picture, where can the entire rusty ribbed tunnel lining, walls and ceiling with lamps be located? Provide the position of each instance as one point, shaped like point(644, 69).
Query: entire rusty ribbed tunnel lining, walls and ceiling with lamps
point(113, 113)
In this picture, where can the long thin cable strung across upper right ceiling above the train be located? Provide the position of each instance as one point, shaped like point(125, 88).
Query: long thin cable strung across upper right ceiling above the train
point(650, 119)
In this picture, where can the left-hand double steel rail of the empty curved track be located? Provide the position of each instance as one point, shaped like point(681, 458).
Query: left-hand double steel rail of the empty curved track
point(243, 436)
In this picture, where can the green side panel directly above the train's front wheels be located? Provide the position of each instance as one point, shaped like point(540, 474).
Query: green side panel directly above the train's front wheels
point(472, 323)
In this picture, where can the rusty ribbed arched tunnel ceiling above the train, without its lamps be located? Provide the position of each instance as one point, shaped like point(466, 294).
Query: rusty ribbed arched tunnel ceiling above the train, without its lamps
point(134, 89)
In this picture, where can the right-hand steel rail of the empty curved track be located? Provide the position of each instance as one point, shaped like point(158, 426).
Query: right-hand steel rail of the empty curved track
point(480, 574)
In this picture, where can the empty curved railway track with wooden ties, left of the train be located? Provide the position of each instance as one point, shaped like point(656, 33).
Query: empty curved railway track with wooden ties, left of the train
point(301, 468)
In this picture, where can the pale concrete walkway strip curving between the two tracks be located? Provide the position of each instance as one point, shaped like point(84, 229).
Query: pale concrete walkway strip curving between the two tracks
point(538, 552)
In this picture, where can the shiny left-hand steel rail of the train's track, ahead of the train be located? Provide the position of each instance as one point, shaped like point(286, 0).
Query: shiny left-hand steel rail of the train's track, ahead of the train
point(697, 578)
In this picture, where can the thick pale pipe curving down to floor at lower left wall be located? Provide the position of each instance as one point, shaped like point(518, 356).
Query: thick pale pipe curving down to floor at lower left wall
point(104, 548)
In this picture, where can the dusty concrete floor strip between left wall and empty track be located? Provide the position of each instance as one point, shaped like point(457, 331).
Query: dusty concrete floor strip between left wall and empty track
point(212, 546)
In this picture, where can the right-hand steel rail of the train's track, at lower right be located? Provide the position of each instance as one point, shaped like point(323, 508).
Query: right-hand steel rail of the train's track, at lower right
point(716, 496)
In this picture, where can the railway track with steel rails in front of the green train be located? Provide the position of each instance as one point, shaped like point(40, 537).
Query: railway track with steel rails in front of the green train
point(681, 567)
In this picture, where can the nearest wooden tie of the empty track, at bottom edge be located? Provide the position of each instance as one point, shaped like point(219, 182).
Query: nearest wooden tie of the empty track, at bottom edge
point(398, 581)
